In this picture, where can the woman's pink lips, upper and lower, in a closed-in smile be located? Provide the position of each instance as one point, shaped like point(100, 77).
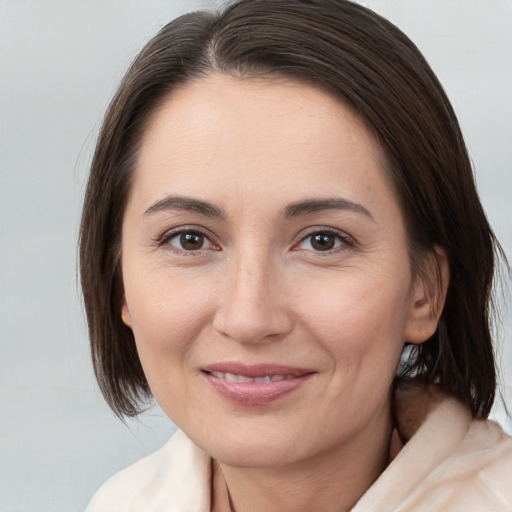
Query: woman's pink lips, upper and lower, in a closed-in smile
point(256, 393)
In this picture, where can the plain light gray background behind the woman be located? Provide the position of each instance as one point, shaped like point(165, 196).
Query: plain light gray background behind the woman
point(60, 63)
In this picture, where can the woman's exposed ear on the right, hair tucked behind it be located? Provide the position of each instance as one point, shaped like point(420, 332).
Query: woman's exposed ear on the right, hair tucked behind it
point(429, 295)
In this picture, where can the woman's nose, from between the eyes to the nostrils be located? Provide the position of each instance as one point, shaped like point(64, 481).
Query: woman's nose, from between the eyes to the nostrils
point(252, 305)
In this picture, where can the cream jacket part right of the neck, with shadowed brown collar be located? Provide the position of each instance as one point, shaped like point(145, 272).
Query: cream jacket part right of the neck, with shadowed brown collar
point(449, 462)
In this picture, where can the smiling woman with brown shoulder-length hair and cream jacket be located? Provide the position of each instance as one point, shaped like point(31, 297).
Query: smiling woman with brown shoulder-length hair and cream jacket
point(281, 201)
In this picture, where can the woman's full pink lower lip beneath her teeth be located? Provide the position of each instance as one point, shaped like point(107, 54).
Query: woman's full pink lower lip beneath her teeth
point(256, 393)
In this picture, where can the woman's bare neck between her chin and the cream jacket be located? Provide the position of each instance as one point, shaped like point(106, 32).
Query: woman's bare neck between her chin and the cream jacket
point(330, 482)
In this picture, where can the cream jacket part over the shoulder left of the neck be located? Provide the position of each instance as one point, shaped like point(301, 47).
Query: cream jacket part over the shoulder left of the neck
point(175, 477)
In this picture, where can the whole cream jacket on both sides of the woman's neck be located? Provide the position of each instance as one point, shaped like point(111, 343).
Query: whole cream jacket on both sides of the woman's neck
point(448, 463)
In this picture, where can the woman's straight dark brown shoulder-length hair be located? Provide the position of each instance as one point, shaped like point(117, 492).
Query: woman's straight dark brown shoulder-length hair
point(372, 66)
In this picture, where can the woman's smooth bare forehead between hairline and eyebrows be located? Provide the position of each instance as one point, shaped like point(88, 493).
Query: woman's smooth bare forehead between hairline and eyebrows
point(220, 133)
